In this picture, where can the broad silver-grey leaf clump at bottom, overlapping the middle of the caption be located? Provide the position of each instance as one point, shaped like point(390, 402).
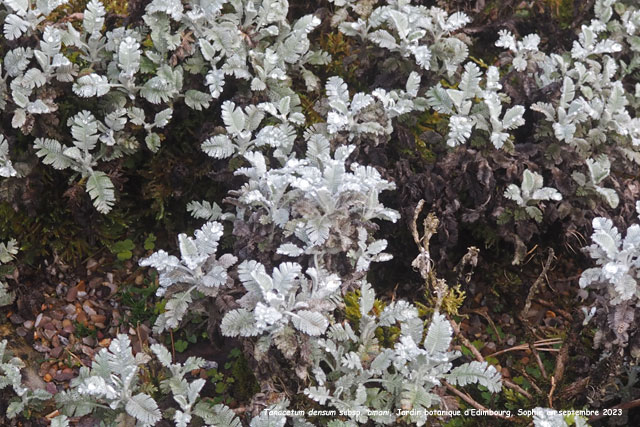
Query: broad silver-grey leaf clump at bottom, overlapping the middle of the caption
point(353, 371)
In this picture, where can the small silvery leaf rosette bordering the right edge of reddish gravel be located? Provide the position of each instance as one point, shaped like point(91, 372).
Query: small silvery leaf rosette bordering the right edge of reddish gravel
point(198, 268)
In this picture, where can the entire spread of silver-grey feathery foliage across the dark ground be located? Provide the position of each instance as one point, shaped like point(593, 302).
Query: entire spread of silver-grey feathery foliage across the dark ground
point(312, 206)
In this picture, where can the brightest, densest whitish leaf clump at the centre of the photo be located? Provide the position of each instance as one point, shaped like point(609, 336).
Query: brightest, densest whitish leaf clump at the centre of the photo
point(316, 198)
